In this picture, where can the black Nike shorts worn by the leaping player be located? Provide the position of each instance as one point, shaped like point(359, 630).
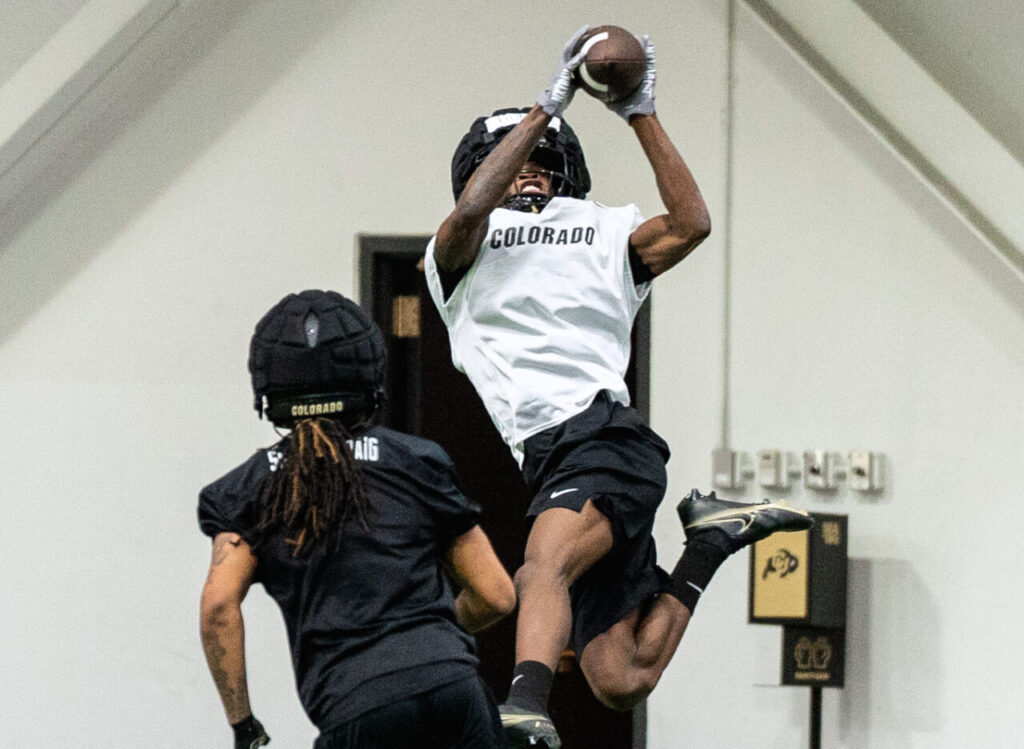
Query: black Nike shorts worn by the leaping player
point(609, 455)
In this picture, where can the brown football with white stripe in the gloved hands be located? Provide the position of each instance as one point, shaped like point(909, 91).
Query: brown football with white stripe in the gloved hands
point(614, 63)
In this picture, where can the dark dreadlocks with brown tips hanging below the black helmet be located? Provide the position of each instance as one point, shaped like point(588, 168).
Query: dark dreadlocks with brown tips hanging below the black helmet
point(316, 490)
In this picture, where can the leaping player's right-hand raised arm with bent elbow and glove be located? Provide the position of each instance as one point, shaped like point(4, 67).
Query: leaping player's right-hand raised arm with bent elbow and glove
point(664, 241)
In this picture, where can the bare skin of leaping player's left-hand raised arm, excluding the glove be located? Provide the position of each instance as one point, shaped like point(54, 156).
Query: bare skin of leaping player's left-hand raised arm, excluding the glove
point(461, 234)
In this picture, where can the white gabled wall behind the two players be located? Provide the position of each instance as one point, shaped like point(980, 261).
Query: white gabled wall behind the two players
point(864, 317)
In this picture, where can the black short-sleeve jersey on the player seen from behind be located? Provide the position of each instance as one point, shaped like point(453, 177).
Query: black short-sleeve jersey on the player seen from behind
point(374, 620)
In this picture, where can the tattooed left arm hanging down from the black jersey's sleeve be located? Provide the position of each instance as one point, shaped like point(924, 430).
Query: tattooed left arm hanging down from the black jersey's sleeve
point(223, 630)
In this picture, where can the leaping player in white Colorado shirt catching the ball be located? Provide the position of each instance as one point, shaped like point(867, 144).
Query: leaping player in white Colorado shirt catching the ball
point(539, 288)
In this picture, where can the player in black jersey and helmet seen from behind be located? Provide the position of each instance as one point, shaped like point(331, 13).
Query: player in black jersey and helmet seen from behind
point(358, 532)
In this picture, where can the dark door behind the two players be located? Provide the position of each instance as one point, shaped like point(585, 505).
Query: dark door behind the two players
point(429, 397)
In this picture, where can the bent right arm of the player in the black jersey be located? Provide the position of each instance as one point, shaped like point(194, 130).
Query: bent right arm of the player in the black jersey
point(488, 595)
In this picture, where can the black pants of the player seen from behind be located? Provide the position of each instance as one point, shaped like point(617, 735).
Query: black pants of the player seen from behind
point(459, 716)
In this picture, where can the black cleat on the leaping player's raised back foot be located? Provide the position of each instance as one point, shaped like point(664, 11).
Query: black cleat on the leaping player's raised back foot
point(743, 524)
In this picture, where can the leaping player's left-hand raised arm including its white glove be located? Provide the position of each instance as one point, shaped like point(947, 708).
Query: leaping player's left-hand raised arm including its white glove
point(460, 235)
